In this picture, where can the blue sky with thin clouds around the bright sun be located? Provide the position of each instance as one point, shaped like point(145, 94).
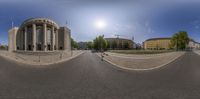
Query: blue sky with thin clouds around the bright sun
point(138, 19)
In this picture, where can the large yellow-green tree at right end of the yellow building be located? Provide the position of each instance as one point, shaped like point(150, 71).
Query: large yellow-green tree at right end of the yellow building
point(179, 40)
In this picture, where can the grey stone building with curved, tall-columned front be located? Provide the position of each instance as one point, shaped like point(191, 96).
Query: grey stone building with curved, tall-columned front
point(39, 34)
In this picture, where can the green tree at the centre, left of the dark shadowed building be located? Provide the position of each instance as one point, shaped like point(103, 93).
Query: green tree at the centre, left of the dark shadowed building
point(99, 43)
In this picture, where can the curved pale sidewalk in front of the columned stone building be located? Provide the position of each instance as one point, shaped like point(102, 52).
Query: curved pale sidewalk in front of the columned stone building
point(40, 59)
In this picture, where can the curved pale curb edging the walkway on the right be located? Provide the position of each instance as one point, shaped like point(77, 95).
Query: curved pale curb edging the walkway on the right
point(125, 68)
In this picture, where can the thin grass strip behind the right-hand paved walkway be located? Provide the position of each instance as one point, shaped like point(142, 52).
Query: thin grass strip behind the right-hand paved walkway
point(140, 51)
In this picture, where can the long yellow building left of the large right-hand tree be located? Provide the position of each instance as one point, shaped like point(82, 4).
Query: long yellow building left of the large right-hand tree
point(157, 44)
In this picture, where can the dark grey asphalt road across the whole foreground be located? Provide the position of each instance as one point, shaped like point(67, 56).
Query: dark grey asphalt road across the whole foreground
point(87, 77)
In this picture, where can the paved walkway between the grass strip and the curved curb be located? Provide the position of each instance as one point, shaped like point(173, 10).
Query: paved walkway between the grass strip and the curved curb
point(141, 62)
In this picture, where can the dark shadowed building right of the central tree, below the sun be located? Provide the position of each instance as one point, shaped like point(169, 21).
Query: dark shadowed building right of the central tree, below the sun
point(119, 43)
